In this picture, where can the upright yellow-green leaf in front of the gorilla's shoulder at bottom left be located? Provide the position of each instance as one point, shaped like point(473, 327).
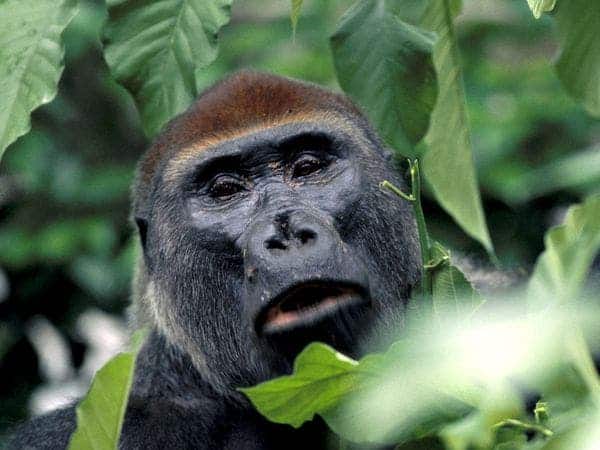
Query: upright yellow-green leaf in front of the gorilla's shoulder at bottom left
point(100, 414)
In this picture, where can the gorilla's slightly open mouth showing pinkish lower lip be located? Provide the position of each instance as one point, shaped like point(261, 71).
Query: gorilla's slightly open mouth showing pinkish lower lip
point(307, 303)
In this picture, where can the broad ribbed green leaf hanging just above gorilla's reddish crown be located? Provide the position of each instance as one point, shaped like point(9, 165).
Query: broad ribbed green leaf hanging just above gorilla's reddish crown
point(154, 47)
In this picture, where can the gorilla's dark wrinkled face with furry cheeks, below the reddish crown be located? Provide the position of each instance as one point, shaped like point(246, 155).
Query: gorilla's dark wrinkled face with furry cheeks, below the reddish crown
point(263, 243)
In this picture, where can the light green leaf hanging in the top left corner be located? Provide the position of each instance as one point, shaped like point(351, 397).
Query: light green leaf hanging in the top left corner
point(31, 60)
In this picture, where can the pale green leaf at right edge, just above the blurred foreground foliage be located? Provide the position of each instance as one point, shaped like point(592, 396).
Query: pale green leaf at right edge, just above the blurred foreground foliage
point(561, 270)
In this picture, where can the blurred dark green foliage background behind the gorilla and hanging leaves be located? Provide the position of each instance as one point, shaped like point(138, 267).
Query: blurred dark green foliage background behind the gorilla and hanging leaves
point(66, 245)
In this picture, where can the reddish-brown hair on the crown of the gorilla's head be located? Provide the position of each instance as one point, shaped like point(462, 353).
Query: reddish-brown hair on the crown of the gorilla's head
point(243, 101)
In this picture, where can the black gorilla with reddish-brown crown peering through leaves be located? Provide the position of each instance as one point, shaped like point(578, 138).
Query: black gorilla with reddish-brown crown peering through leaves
point(262, 228)
